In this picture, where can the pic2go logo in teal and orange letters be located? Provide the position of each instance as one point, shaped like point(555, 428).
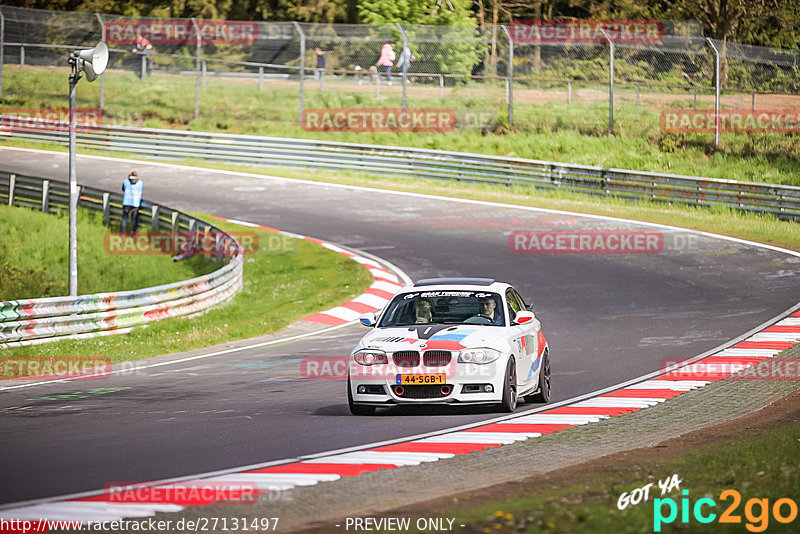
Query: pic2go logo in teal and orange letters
point(756, 511)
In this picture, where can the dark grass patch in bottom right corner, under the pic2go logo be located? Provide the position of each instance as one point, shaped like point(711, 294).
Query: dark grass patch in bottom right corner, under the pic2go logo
point(757, 466)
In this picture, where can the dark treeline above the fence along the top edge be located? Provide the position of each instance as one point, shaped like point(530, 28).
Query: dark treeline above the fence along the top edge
point(758, 22)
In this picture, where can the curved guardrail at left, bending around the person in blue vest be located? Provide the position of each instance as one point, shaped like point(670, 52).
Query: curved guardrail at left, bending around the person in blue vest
point(34, 321)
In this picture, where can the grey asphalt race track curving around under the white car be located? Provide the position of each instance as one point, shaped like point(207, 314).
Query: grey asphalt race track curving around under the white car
point(607, 317)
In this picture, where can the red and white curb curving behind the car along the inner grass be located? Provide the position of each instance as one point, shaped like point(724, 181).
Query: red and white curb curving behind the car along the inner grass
point(384, 286)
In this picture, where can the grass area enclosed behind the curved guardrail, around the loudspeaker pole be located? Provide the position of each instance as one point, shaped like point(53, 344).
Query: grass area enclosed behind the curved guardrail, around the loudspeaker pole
point(34, 263)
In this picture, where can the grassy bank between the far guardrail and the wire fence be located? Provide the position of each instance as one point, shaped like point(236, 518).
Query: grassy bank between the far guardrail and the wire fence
point(556, 131)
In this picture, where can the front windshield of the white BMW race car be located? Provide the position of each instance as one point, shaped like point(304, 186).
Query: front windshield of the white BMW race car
point(444, 307)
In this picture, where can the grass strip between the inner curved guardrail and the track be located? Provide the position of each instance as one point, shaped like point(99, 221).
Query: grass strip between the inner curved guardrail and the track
point(281, 285)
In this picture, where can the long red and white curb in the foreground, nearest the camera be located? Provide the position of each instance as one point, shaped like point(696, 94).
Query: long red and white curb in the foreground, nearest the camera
point(328, 467)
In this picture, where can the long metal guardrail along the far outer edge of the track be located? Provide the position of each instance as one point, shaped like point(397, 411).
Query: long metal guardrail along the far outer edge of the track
point(780, 200)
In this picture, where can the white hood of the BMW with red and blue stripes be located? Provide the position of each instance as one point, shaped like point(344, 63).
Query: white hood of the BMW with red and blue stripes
point(434, 337)
